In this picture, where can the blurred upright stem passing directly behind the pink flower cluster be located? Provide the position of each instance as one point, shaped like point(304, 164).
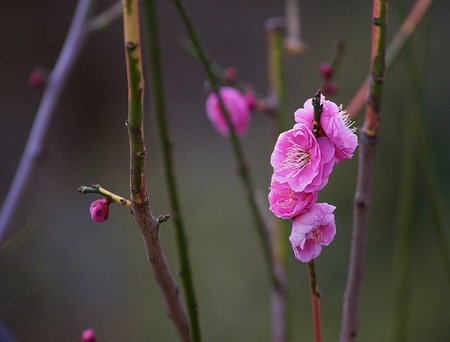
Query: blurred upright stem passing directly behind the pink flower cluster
point(277, 94)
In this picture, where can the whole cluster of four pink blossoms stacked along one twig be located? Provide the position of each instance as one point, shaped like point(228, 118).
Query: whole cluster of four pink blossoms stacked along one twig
point(302, 163)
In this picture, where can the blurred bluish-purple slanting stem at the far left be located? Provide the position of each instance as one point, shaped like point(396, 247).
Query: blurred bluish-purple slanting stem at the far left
point(32, 155)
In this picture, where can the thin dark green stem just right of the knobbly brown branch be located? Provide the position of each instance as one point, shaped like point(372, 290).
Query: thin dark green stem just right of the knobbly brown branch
point(164, 134)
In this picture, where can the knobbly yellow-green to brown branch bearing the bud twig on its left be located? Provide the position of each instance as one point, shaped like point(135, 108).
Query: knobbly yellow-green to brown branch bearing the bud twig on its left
point(140, 207)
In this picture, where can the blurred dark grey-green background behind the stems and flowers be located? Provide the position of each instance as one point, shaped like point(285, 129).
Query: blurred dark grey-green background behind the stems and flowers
point(72, 273)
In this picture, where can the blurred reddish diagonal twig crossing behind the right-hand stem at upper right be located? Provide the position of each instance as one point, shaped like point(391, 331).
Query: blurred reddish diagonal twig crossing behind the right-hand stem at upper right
point(419, 10)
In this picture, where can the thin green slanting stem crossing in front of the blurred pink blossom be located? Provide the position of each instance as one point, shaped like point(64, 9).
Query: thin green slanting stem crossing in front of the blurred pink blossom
point(245, 176)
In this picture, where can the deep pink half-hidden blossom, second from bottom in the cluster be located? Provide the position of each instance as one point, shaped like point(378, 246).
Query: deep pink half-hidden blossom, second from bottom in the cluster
point(286, 203)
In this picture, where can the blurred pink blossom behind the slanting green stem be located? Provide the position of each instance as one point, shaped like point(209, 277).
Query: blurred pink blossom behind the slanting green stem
point(237, 107)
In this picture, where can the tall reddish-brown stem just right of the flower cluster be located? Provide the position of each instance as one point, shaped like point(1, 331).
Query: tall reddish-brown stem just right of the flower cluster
point(367, 148)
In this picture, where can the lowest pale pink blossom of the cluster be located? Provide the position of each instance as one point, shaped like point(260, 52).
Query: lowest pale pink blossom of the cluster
point(312, 230)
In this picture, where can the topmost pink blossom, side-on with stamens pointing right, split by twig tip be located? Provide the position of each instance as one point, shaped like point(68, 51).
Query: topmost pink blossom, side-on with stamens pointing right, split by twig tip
point(335, 124)
